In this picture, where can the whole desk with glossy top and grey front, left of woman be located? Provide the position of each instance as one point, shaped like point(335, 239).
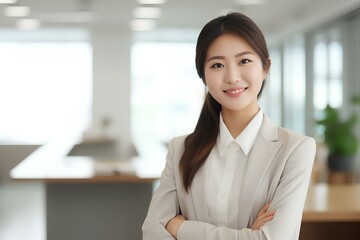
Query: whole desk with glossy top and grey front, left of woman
point(89, 198)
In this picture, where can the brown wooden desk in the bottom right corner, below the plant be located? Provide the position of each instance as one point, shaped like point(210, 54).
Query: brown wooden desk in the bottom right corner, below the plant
point(332, 212)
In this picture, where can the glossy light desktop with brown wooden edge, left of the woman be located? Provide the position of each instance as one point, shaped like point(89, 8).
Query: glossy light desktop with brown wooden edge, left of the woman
point(51, 163)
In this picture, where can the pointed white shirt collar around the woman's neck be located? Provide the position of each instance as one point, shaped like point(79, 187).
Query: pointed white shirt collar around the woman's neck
point(246, 138)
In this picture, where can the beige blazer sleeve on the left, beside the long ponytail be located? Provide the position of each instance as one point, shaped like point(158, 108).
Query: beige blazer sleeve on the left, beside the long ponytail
point(164, 204)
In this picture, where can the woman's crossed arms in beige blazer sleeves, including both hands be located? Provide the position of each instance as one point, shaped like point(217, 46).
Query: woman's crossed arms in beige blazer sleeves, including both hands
point(288, 201)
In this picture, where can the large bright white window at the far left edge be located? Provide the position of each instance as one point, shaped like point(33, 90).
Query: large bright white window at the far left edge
point(45, 89)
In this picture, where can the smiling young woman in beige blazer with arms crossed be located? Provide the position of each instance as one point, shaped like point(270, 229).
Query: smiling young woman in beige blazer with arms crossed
point(238, 175)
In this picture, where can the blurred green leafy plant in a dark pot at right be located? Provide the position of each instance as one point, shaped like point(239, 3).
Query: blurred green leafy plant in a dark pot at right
point(340, 138)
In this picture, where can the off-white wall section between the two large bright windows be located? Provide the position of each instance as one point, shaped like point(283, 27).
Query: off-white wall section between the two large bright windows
point(111, 85)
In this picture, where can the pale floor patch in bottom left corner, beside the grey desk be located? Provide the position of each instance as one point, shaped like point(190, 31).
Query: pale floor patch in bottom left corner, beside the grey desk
point(22, 211)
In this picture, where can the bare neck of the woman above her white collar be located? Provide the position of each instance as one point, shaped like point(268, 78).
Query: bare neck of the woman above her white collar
point(236, 121)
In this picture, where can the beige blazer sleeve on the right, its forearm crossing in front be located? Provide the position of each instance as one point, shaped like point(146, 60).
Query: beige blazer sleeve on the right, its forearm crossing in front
point(288, 200)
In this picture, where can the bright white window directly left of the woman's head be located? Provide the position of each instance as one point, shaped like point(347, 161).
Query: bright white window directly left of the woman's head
point(167, 94)
